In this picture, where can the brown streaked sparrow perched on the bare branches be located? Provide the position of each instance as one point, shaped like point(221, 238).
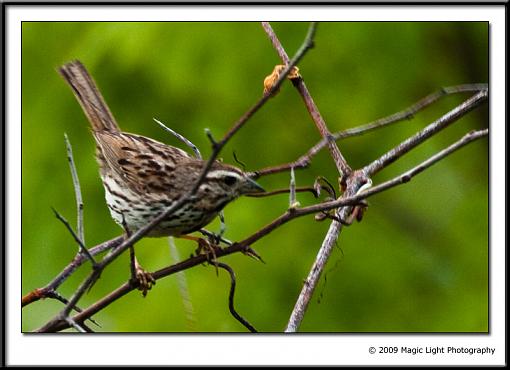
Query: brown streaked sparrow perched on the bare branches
point(142, 177)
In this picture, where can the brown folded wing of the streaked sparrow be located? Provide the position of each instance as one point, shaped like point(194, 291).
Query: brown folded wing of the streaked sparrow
point(146, 165)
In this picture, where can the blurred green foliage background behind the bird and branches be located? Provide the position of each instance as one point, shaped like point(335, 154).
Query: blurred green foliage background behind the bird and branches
point(417, 263)
